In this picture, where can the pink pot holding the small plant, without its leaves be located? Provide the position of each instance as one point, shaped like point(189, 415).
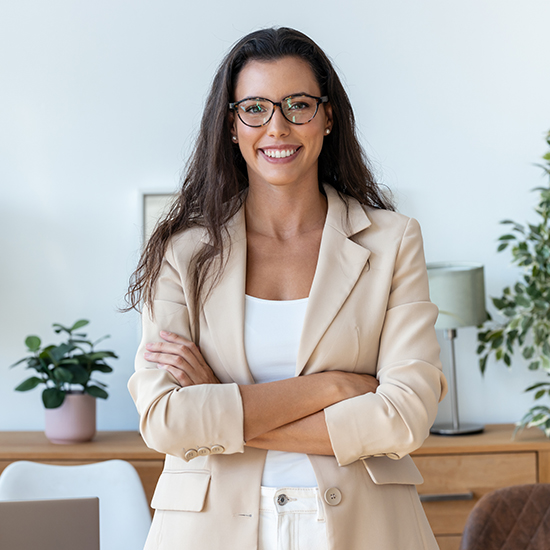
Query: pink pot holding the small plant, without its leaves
point(74, 421)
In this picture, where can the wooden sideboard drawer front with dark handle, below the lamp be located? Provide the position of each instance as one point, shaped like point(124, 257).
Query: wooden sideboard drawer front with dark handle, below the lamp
point(454, 483)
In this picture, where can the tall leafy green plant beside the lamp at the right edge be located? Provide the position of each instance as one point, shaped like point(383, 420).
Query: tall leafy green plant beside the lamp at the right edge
point(525, 307)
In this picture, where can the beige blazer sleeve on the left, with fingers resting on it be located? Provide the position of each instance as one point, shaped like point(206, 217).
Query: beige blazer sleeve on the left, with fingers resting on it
point(176, 419)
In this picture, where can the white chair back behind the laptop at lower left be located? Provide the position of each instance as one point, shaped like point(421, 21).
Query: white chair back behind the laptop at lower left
point(124, 515)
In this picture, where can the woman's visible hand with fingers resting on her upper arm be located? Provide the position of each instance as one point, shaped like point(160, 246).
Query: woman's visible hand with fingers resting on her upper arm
point(182, 359)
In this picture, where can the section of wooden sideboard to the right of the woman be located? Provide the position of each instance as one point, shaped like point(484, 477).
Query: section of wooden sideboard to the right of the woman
point(459, 470)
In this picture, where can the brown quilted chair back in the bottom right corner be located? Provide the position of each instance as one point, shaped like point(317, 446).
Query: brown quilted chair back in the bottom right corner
point(513, 518)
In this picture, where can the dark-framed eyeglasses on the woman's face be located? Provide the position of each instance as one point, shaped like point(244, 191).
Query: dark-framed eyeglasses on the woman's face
point(297, 109)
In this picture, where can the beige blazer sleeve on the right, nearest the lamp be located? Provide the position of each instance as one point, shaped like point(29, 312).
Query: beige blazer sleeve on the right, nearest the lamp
point(396, 419)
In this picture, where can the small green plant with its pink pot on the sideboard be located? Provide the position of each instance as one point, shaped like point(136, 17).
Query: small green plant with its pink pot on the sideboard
point(66, 370)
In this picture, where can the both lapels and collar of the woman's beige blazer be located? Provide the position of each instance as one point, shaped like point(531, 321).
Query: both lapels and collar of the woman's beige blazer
point(341, 262)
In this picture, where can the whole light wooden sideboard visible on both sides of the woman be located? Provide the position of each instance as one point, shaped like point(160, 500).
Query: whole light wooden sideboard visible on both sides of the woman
point(457, 470)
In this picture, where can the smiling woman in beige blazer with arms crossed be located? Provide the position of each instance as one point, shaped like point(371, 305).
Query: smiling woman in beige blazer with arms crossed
point(288, 363)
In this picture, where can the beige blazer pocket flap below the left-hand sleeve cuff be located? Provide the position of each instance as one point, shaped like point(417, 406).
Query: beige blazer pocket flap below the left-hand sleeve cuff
point(181, 491)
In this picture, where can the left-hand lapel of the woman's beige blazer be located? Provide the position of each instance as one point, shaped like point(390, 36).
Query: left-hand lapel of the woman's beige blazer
point(224, 309)
